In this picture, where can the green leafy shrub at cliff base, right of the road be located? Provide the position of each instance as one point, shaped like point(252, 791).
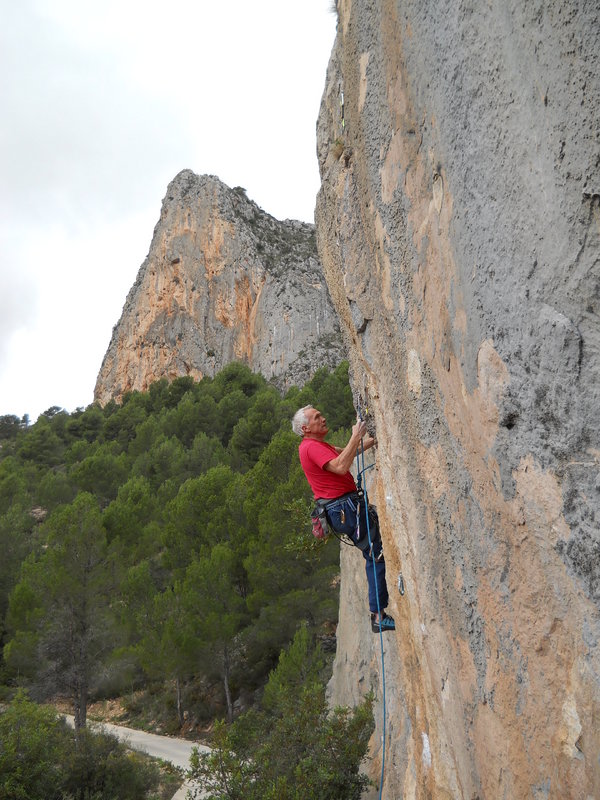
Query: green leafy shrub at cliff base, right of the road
point(294, 749)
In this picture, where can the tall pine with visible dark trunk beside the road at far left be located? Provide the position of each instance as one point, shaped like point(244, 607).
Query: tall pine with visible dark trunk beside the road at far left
point(60, 610)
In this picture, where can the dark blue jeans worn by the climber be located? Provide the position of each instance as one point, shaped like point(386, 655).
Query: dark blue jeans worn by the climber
point(342, 516)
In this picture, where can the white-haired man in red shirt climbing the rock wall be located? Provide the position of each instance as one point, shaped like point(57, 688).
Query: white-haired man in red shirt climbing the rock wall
point(327, 471)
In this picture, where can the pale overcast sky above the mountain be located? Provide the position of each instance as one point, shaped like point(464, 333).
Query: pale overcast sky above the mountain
point(103, 104)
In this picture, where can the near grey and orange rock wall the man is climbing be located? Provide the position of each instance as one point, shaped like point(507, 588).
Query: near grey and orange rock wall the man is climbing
point(458, 225)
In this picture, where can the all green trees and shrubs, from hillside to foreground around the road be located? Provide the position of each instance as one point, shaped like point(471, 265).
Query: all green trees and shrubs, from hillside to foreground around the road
point(159, 551)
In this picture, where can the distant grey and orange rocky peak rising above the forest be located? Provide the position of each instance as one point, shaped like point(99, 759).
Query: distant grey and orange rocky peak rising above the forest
point(223, 281)
